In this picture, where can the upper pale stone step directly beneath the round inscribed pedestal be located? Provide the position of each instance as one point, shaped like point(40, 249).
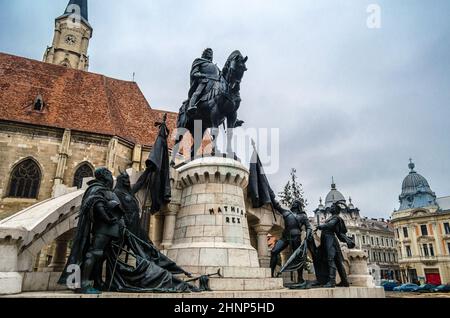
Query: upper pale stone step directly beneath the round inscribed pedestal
point(232, 272)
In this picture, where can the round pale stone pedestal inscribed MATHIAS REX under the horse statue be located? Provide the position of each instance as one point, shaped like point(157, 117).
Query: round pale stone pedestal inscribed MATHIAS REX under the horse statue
point(211, 228)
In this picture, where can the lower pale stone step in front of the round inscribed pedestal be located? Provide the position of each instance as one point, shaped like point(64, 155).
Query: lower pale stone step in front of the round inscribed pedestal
point(251, 284)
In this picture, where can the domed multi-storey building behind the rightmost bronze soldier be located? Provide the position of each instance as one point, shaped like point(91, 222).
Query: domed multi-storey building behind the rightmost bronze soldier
point(373, 236)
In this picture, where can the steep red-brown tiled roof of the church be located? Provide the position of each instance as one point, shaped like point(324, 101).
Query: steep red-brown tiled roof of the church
point(76, 100)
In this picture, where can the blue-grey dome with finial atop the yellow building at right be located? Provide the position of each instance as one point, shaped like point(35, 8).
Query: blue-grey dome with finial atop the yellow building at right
point(416, 191)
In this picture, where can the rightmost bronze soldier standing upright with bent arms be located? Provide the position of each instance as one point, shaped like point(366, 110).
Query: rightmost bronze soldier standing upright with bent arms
point(333, 231)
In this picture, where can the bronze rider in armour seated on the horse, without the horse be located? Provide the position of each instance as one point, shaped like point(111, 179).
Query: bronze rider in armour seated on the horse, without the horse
point(203, 75)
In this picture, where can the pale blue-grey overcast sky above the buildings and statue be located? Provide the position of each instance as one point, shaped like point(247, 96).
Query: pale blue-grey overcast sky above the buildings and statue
point(351, 102)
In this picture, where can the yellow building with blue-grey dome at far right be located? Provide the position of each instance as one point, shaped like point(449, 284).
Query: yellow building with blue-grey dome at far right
point(422, 230)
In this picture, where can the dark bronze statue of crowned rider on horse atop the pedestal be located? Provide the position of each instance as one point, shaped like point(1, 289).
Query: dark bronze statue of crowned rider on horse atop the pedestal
point(214, 97)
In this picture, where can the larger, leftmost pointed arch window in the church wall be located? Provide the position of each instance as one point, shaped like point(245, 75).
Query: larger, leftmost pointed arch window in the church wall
point(25, 180)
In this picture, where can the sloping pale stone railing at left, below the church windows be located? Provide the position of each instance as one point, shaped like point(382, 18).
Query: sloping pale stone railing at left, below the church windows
point(23, 235)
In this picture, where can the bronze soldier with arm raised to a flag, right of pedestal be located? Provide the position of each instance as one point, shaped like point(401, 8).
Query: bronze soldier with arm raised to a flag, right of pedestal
point(294, 220)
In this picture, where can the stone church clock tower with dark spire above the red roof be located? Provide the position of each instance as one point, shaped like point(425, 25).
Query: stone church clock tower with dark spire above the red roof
point(71, 39)
